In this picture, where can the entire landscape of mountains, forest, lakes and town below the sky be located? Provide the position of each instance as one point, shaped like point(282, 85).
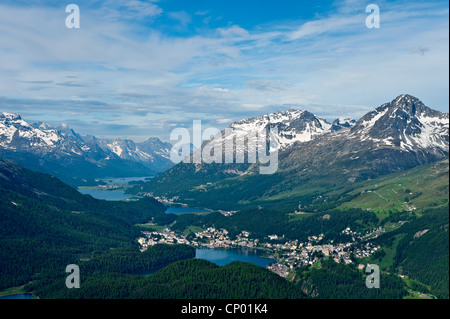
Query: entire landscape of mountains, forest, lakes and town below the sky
point(346, 194)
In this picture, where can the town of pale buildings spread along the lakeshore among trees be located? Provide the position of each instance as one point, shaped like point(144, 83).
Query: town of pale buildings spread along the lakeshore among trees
point(288, 254)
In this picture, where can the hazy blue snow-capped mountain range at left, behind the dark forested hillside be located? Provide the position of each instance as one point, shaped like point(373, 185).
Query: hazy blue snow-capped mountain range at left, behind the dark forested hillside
point(76, 159)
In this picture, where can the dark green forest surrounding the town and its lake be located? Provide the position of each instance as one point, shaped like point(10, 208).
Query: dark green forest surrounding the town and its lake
point(46, 225)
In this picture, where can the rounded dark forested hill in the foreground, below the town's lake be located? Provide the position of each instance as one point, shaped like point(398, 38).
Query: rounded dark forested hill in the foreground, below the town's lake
point(189, 279)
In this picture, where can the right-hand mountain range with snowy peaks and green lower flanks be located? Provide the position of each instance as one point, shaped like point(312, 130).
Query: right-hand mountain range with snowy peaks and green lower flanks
point(315, 157)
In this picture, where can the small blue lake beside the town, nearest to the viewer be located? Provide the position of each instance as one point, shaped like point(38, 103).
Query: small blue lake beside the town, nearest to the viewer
point(223, 257)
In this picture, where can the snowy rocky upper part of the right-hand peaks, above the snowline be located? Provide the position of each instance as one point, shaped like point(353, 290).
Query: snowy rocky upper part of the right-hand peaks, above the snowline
point(404, 123)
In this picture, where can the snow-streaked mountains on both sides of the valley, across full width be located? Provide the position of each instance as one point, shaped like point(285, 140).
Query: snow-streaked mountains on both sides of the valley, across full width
point(398, 135)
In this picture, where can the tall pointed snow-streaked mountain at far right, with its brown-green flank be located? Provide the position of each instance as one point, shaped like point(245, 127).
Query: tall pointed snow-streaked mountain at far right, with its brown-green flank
point(398, 135)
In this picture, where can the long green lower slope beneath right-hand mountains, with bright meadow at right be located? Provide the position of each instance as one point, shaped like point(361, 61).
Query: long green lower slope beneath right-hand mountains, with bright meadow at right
point(422, 186)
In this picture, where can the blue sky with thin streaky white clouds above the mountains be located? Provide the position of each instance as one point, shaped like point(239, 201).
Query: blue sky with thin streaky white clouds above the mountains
point(140, 68)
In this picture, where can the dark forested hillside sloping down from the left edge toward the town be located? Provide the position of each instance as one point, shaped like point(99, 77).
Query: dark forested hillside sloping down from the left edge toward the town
point(46, 225)
